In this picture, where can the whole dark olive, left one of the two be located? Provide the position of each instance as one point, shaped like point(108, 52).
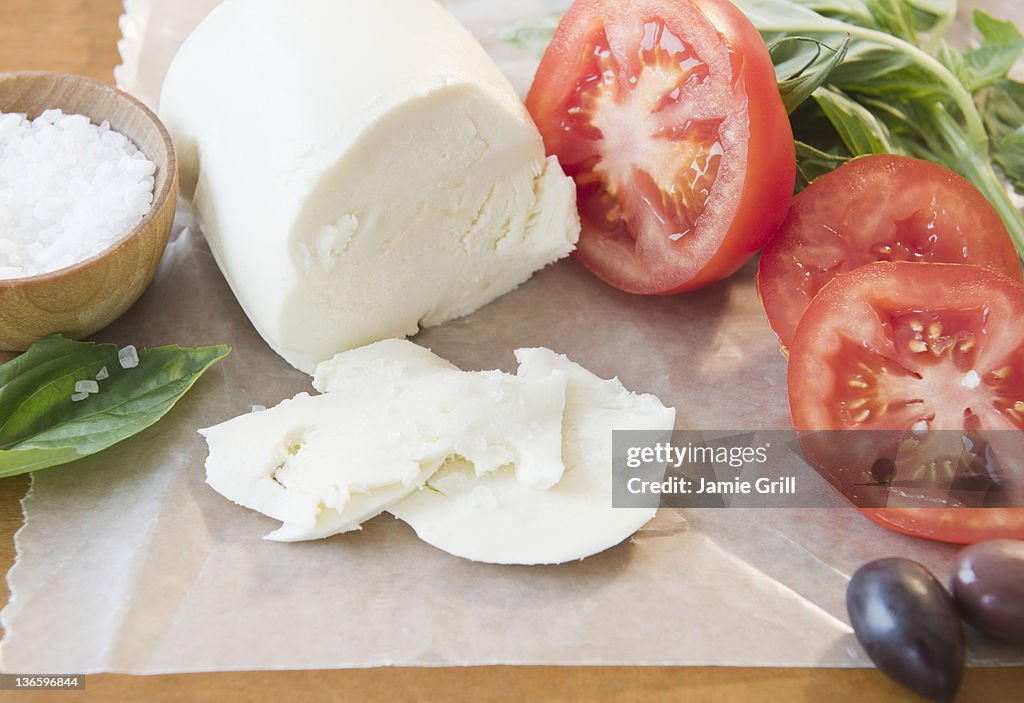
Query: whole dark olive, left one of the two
point(909, 626)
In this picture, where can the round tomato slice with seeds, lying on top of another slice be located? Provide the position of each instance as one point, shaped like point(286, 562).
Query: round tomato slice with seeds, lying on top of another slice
point(917, 348)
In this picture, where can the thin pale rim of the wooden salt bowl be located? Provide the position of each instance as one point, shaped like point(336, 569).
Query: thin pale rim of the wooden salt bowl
point(160, 199)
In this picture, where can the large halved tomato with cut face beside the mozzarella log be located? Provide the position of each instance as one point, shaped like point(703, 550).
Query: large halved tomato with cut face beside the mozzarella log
point(668, 116)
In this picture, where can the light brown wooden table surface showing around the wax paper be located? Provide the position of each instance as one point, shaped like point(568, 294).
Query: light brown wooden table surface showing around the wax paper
point(80, 36)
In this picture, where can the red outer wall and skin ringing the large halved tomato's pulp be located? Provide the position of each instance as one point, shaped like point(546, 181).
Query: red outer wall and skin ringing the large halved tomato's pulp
point(730, 236)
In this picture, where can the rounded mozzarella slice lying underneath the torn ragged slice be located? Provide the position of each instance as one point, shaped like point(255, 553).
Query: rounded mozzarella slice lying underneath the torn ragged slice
point(495, 518)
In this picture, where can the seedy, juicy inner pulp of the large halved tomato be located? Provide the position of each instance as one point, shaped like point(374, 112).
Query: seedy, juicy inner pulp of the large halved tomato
point(649, 164)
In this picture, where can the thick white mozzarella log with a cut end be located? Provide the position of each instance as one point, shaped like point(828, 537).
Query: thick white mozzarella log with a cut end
point(361, 169)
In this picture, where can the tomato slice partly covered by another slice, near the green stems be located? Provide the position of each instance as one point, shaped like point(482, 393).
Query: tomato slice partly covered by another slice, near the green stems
point(879, 208)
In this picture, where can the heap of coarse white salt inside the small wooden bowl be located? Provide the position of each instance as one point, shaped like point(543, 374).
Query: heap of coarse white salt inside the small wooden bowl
point(69, 190)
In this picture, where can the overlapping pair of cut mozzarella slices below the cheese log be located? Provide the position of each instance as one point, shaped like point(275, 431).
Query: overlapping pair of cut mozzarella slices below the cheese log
point(484, 465)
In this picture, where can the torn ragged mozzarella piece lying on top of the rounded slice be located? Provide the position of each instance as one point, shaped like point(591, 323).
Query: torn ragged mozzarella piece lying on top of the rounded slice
point(324, 465)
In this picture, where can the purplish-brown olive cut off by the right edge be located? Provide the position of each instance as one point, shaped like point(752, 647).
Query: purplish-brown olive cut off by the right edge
point(989, 587)
